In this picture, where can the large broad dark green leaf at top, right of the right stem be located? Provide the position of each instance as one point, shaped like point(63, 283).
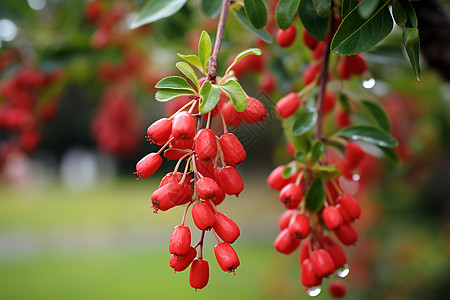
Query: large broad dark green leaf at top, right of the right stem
point(356, 34)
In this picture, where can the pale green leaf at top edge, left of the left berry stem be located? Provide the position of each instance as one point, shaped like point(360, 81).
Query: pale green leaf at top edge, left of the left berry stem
point(155, 10)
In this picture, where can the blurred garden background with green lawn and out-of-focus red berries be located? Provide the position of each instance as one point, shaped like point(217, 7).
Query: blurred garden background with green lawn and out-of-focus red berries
point(75, 224)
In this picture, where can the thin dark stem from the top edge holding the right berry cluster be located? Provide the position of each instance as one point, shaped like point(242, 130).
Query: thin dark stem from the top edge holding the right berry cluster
point(323, 79)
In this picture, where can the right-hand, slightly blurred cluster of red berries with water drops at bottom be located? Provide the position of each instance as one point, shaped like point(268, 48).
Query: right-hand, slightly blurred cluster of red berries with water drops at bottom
point(320, 255)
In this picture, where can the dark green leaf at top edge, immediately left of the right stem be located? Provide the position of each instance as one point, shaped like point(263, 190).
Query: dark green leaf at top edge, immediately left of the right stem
point(316, 25)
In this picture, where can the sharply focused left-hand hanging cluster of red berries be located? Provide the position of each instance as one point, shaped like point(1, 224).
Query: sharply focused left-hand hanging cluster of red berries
point(209, 175)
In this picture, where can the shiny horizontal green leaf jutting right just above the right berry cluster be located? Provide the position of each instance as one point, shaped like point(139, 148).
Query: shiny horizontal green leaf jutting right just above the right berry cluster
point(368, 134)
